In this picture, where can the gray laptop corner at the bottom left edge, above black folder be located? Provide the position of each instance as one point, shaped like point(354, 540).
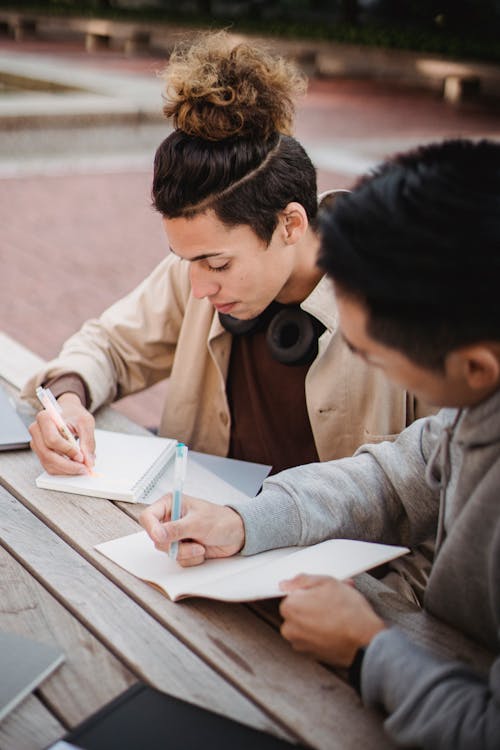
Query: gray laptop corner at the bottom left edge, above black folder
point(24, 664)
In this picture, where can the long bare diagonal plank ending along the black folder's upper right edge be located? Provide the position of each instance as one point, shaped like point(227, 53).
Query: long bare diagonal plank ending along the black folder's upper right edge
point(148, 650)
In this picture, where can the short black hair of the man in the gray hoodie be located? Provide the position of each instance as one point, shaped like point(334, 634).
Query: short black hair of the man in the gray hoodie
point(417, 242)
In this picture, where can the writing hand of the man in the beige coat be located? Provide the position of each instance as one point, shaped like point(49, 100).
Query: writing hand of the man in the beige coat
point(56, 454)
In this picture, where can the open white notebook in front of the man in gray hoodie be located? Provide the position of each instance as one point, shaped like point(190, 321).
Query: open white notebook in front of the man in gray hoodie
point(242, 578)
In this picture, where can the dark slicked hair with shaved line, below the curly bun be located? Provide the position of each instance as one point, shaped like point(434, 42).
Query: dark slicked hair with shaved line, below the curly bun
point(243, 180)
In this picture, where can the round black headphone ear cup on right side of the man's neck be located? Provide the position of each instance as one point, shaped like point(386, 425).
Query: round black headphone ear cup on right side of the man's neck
point(292, 338)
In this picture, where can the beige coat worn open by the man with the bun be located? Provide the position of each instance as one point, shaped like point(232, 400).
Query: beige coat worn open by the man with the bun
point(161, 331)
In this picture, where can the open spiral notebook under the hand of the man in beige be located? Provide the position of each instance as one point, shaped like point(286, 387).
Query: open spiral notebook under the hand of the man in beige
point(139, 468)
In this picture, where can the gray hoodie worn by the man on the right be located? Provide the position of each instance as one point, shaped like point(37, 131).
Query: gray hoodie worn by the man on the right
point(442, 473)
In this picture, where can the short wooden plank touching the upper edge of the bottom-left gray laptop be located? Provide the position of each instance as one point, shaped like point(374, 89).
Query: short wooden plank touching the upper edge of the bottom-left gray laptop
point(90, 675)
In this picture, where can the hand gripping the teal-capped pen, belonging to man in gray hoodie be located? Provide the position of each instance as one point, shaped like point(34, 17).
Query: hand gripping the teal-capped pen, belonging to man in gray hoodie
point(204, 531)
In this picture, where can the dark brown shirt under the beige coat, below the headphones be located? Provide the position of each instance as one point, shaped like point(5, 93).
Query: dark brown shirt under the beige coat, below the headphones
point(269, 419)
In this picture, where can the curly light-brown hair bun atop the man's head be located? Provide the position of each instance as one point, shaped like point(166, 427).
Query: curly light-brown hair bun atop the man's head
point(216, 89)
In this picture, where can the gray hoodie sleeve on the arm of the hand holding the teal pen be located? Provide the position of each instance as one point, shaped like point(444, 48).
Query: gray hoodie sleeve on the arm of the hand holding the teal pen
point(380, 494)
